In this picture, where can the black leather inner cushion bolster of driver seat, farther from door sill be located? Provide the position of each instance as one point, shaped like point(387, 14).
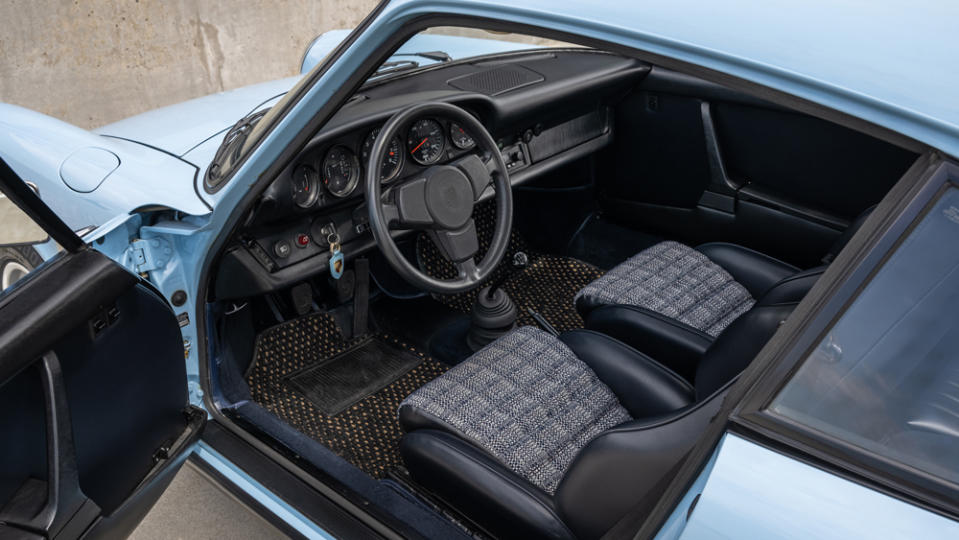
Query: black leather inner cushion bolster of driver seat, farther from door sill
point(644, 387)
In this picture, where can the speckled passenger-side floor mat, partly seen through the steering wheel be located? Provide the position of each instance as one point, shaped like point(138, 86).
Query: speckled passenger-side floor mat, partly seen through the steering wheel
point(548, 285)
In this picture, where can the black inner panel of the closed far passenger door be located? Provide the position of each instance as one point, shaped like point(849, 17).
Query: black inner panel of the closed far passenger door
point(698, 162)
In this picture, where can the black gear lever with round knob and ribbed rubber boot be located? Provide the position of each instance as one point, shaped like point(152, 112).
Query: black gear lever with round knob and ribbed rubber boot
point(494, 313)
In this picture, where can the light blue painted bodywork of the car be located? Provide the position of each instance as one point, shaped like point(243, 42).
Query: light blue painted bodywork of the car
point(891, 64)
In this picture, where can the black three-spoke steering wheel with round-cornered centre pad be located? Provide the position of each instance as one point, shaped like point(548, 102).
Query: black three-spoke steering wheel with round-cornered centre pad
point(440, 202)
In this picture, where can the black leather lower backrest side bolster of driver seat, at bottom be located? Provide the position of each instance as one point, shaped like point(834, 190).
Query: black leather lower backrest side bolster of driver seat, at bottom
point(628, 464)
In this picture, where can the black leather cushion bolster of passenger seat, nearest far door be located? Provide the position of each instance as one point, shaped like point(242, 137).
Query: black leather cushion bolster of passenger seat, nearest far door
point(752, 269)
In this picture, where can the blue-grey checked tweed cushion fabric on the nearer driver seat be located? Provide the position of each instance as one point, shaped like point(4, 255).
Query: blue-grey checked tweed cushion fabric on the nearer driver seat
point(527, 400)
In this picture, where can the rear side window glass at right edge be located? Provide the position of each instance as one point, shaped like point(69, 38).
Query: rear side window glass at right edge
point(886, 377)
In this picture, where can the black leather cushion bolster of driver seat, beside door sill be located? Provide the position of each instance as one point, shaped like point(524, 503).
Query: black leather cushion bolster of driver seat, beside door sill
point(469, 479)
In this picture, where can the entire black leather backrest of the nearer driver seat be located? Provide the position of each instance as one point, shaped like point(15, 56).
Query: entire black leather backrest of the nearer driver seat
point(632, 463)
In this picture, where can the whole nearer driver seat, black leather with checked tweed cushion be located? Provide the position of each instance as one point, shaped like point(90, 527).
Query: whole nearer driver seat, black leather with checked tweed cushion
point(538, 436)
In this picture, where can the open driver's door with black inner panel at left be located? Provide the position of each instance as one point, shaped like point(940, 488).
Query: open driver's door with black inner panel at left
point(94, 414)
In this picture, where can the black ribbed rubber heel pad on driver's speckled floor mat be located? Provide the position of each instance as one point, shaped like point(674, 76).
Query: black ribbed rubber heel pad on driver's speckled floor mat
point(336, 384)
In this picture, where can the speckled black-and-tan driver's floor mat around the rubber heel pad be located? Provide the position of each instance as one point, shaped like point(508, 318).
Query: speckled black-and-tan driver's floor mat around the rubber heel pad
point(367, 433)
